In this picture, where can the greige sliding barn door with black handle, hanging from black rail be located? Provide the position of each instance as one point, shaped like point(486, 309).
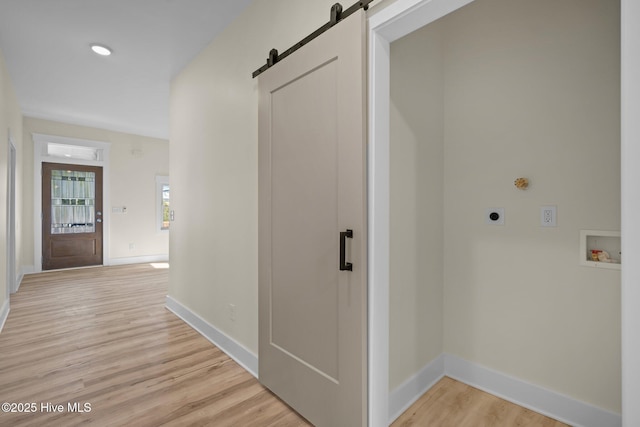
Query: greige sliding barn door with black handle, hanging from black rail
point(312, 228)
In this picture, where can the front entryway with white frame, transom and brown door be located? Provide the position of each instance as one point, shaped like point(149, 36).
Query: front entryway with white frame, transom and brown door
point(74, 213)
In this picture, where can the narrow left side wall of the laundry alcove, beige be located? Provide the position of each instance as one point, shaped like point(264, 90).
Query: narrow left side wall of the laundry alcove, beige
point(416, 195)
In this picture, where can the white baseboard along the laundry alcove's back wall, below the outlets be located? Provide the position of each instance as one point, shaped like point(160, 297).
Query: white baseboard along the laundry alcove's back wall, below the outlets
point(538, 399)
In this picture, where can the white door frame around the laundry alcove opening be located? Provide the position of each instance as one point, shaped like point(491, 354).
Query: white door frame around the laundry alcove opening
point(402, 18)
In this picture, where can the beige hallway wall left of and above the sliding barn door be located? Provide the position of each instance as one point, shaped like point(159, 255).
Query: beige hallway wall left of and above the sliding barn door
point(214, 166)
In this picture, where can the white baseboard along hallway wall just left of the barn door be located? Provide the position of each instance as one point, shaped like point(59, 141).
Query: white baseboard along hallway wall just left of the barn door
point(232, 348)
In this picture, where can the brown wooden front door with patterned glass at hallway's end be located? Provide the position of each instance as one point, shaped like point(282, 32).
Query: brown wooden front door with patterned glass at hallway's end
point(71, 216)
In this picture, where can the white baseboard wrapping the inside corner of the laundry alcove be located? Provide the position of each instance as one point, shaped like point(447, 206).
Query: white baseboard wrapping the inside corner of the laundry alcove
point(538, 399)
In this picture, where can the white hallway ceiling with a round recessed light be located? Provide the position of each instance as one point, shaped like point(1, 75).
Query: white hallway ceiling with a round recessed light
point(56, 76)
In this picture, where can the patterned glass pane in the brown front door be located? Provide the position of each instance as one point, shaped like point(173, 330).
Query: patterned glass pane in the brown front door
point(72, 202)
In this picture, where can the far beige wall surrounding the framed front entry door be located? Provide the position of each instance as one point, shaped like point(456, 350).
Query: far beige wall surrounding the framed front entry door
point(134, 161)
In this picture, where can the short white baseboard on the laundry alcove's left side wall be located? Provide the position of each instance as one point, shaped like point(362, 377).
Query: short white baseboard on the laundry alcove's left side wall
point(412, 389)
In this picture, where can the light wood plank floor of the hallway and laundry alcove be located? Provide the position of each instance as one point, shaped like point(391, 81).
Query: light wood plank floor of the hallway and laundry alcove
point(102, 336)
